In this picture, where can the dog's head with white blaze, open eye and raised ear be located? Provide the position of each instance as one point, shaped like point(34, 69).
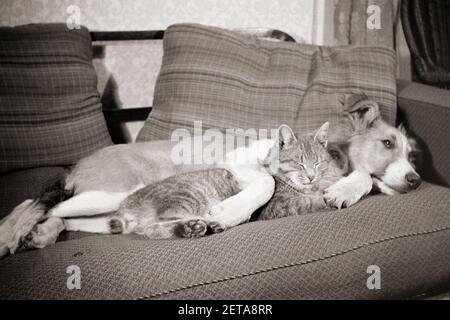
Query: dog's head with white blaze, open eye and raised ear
point(387, 152)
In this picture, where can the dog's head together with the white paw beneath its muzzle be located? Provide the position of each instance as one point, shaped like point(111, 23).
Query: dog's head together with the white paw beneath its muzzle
point(375, 153)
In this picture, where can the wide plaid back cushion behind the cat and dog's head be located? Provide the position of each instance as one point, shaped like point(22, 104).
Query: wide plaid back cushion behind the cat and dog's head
point(230, 80)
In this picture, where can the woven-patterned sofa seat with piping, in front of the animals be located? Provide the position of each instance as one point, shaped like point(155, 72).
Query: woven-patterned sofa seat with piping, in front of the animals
point(321, 255)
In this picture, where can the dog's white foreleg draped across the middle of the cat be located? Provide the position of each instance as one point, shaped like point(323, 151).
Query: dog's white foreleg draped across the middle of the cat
point(239, 208)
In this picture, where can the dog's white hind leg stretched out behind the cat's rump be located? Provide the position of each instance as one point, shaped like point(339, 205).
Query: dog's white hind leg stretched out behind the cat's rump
point(89, 203)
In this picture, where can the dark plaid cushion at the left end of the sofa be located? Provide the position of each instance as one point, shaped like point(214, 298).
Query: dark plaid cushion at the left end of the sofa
point(50, 111)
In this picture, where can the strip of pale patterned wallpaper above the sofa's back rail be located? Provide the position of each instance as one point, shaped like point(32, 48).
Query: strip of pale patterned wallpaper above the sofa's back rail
point(293, 16)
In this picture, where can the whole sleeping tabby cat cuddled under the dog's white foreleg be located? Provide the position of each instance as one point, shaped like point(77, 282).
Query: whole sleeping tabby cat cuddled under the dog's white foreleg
point(179, 206)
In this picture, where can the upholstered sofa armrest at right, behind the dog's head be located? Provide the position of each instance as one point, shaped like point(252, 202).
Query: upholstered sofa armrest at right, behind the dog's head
point(425, 111)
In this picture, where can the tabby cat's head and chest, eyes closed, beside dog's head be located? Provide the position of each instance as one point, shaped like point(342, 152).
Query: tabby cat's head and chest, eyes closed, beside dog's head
point(303, 169)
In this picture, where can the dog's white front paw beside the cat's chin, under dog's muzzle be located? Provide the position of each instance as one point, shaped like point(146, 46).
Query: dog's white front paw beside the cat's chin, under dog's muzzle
point(349, 190)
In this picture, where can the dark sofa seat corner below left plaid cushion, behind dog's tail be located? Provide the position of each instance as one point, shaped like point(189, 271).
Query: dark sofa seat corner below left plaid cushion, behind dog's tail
point(16, 186)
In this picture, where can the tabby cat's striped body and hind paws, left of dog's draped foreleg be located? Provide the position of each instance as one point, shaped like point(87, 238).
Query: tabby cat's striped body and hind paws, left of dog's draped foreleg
point(178, 206)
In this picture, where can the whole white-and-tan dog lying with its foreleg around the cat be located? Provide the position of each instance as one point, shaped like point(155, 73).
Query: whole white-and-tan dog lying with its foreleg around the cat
point(376, 155)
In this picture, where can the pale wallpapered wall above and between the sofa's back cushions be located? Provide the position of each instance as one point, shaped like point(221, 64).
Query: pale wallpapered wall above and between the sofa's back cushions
point(127, 72)
